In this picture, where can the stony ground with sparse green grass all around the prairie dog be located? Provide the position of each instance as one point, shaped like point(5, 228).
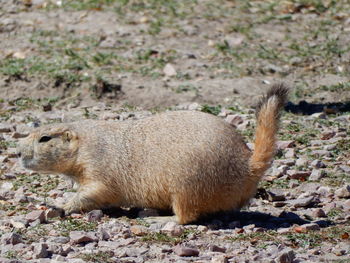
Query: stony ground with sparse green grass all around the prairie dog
point(126, 59)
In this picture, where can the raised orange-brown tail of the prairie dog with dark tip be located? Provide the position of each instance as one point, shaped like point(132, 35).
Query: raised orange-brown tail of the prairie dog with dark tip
point(268, 115)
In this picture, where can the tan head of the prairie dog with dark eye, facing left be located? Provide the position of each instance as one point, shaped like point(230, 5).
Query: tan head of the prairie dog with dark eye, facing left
point(49, 149)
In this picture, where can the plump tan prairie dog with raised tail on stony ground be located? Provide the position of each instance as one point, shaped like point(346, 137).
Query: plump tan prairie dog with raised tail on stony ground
point(191, 162)
